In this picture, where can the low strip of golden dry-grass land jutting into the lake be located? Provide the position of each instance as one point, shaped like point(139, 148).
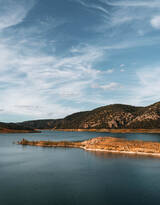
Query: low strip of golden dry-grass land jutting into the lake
point(105, 144)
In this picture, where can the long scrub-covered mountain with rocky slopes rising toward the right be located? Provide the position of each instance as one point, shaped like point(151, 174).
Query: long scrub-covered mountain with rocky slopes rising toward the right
point(116, 116)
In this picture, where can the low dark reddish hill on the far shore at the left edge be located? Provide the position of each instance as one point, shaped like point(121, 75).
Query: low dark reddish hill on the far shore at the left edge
point(14, 128)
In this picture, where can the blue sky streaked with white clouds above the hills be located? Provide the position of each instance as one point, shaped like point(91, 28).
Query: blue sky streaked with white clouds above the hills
point(58, 57)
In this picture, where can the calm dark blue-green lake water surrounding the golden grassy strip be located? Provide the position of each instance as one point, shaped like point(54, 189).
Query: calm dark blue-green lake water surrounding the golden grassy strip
point(58, 176)
